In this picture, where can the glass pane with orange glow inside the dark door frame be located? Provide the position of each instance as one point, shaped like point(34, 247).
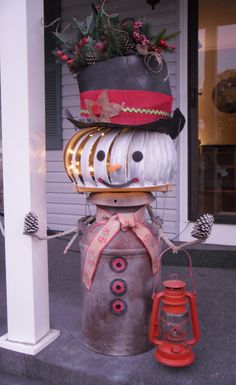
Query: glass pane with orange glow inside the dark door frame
point(217, 107)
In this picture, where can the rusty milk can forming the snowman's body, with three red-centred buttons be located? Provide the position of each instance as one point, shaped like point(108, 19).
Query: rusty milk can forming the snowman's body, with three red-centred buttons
point(116, 308)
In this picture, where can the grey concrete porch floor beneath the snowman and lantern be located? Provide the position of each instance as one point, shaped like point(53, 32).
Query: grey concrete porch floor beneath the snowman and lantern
point(68, 362)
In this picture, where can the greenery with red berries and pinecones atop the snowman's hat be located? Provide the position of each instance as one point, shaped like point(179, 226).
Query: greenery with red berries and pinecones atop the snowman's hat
point(102, 36)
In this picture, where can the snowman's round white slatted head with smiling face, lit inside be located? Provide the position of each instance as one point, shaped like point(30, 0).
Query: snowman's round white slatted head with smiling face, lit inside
point(98, 159)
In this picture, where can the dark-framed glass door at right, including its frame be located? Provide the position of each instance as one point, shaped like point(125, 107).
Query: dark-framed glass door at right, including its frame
point(212, 109)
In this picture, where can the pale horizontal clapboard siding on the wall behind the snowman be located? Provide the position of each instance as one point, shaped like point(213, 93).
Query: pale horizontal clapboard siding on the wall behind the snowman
point(64, 206)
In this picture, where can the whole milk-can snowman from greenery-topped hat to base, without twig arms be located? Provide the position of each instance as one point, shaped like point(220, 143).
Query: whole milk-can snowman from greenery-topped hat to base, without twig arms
point(122, 151)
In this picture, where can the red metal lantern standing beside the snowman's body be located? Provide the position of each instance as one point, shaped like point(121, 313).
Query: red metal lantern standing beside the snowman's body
point(174, 324)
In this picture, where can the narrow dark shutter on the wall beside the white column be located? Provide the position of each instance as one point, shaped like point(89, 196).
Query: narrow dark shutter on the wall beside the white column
point(52, 80)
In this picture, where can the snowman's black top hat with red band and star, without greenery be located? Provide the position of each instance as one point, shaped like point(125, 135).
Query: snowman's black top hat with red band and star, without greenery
point(128, 91)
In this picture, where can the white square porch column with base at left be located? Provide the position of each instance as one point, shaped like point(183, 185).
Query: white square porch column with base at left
point(23, 137)
